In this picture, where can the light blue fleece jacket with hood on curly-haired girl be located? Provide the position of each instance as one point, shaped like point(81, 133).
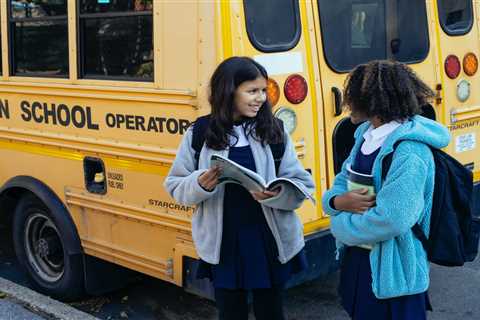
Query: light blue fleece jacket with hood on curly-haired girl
point(398, 261)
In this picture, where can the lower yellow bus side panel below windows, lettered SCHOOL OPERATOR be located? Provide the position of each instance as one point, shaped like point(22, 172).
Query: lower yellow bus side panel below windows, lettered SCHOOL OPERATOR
point(135, 223)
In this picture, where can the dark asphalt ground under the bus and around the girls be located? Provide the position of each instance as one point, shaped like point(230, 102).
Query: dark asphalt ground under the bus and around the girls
point(453, 292)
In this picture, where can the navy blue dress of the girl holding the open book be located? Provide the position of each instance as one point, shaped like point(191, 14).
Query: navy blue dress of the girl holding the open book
point(248, 254)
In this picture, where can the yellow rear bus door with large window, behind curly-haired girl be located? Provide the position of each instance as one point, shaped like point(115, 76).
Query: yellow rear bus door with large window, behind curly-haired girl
point(351, 32)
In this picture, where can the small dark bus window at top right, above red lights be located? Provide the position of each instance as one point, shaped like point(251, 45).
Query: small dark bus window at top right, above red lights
point(456, 16)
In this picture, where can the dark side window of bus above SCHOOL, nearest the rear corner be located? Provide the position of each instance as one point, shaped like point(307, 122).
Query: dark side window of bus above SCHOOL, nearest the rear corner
point(116, 39)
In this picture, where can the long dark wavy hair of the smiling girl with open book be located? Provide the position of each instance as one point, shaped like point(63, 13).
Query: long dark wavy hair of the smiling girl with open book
point(224, 82)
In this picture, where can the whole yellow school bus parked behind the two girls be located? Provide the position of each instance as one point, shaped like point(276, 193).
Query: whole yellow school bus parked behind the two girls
point(95, 96)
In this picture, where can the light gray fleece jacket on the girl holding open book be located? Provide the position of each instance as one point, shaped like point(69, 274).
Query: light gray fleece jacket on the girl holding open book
point(207, 223)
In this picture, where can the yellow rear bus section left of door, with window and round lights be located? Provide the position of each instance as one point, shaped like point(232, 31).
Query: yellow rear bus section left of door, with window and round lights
point(279, 40)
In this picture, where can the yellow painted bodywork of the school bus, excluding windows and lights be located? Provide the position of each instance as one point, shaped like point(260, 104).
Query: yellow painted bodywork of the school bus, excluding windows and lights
point(136, 224)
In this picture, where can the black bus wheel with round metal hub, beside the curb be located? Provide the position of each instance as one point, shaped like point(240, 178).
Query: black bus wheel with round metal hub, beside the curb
point(40, 249)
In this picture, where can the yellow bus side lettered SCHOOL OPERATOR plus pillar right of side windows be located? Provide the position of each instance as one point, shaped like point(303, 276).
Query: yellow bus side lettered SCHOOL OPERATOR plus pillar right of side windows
point(134, 133)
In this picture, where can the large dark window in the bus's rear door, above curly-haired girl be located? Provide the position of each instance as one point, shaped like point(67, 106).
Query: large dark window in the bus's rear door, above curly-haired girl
point(356, 31)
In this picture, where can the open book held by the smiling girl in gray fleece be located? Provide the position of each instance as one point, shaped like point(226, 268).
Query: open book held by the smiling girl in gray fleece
point(234, 173)
